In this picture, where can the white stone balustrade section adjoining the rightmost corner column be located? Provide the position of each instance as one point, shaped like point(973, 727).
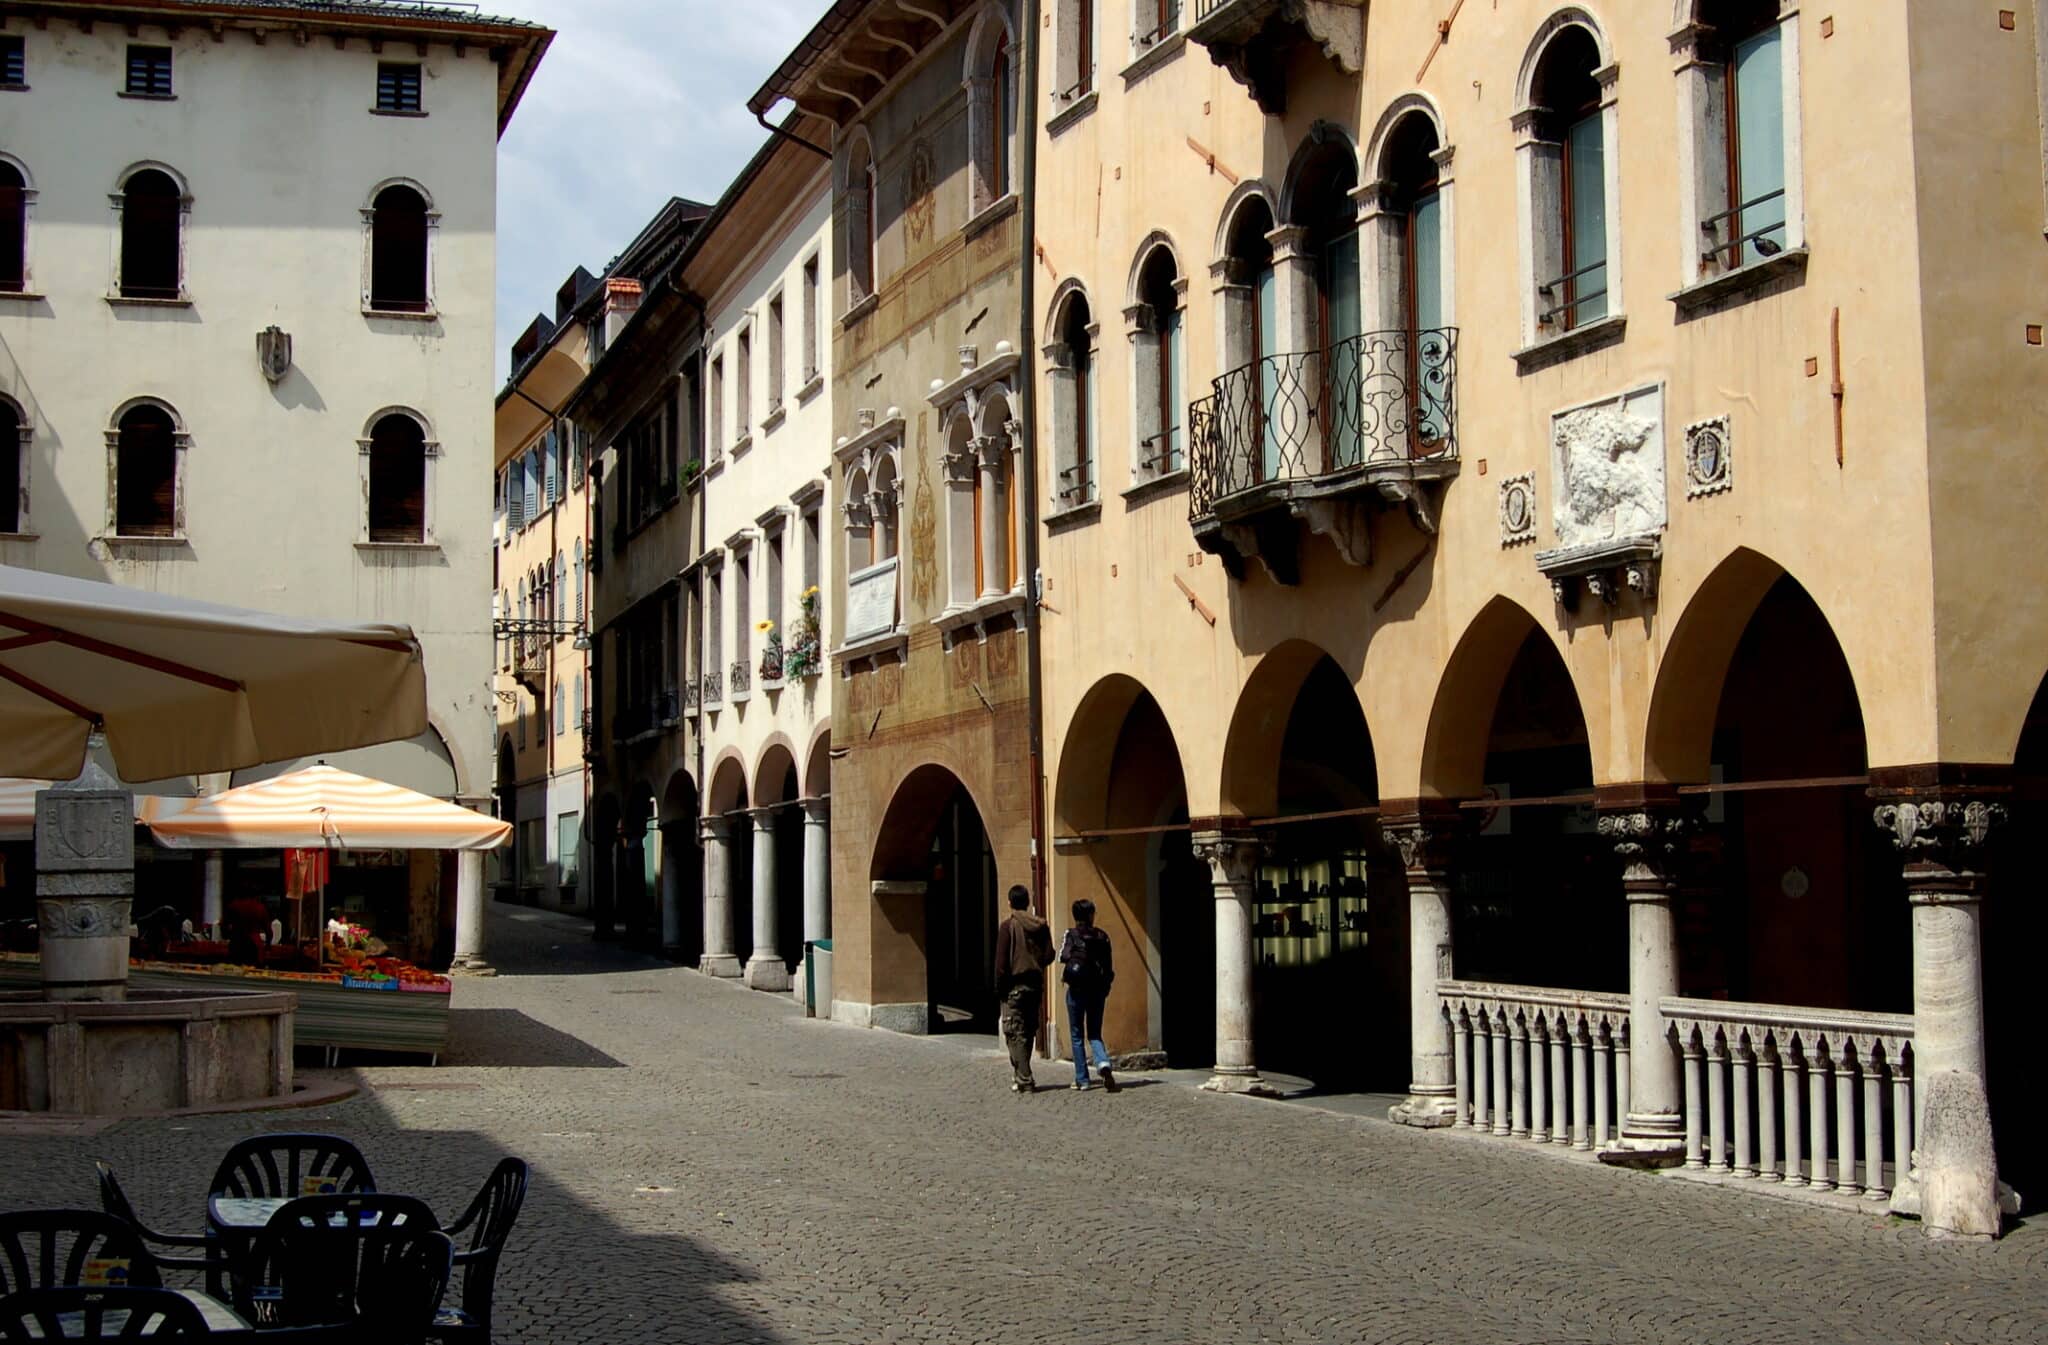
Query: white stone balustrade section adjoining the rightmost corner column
point(1766, 1082)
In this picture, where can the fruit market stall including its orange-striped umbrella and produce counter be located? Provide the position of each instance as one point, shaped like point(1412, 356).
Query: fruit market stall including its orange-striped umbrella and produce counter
point(353, 908)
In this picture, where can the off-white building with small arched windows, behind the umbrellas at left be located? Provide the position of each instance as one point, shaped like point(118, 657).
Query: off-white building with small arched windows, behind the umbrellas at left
point(247, 341)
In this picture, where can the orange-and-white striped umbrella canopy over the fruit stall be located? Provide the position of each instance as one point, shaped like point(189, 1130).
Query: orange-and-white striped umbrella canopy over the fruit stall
point(331, 808)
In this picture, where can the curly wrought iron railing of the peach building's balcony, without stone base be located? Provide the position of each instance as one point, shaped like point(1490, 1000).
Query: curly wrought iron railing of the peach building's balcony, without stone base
point(1379, 398)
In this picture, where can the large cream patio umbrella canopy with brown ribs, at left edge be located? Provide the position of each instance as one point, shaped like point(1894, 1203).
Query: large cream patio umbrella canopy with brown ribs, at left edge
point(185, 687)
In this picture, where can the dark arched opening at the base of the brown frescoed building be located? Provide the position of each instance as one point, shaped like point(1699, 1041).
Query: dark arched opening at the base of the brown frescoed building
point(935, 877)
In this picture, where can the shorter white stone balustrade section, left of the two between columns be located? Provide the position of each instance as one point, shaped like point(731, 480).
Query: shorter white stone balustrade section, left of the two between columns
point(1539, 1064)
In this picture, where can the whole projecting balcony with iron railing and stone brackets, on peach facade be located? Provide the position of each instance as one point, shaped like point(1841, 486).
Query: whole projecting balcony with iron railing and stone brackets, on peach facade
point(1322, 439)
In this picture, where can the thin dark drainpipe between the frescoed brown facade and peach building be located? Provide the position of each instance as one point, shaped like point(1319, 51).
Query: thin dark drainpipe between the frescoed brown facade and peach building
point(1029, 423)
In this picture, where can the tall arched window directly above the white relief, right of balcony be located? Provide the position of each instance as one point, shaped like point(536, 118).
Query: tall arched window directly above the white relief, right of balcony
point(1566, 159)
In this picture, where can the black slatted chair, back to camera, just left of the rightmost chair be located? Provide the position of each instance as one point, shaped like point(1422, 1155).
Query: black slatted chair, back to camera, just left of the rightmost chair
point(374, 1260)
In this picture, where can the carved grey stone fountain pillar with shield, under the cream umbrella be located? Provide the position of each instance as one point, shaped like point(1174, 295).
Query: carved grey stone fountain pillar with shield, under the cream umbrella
point(85, 887)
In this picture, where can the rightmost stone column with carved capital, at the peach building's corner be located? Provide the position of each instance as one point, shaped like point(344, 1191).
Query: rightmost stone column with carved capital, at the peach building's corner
point(1955, 1180)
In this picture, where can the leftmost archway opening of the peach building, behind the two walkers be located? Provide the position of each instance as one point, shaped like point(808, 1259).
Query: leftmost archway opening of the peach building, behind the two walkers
point(1121, 773)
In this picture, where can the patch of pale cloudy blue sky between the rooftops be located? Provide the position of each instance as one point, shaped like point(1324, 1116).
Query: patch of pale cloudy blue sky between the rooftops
point(636, 101)
